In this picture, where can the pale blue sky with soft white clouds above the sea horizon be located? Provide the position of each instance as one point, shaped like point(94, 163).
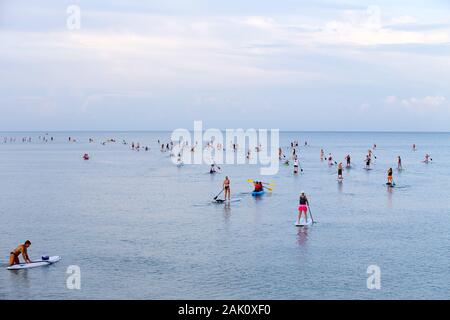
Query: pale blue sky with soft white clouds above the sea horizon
point(318, 65)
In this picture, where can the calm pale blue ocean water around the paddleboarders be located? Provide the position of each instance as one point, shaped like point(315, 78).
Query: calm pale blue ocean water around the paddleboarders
point(141, 228)
